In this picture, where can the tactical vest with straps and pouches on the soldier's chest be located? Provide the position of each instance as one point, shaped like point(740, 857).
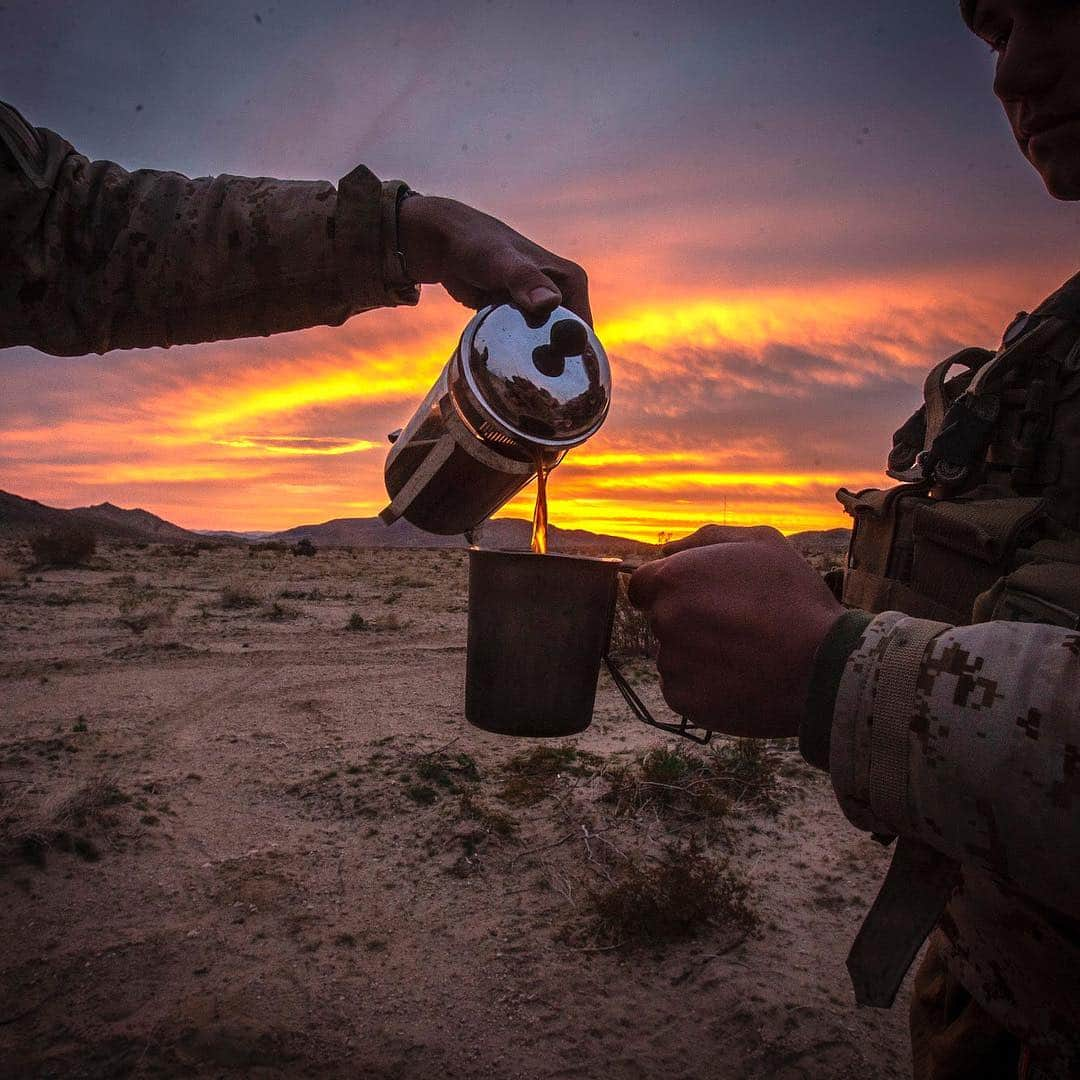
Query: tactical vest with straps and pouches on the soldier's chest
point(987, 523)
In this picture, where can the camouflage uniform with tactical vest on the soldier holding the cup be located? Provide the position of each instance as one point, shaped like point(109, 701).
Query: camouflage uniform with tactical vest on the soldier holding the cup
point(964, 741)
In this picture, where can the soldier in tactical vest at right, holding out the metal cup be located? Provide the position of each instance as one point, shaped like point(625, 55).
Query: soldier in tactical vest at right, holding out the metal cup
point(944, 698)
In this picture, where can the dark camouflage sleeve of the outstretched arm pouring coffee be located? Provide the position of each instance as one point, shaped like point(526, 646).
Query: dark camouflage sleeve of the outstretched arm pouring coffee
point(94, 258)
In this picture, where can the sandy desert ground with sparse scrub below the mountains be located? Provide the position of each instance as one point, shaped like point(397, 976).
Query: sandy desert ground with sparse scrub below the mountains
point(246, 831)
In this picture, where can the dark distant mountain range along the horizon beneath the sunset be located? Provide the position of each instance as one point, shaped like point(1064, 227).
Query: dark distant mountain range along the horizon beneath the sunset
point(21, 519)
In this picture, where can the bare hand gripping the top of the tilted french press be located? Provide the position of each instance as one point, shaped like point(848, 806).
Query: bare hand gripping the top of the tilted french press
point(481, 261)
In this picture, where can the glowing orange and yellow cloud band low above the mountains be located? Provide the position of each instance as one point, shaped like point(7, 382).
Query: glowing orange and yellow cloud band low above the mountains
point(715, 399)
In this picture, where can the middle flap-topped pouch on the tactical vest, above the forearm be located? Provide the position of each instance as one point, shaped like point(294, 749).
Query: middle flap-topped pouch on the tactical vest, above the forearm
point(963, 548)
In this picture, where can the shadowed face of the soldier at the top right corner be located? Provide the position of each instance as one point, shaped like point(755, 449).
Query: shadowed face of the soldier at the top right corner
point(1037, 44)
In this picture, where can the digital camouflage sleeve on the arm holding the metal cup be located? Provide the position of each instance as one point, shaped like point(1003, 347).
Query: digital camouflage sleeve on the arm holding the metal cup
point(968, 738)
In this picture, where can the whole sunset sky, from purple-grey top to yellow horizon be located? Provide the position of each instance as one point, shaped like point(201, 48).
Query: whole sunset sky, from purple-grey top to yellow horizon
point(788, 213)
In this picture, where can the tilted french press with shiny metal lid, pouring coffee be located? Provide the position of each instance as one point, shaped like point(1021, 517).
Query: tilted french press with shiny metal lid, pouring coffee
point(515, 395)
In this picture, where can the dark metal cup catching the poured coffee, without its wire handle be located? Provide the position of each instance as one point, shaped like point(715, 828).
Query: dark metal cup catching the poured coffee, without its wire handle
point(538, 630)
